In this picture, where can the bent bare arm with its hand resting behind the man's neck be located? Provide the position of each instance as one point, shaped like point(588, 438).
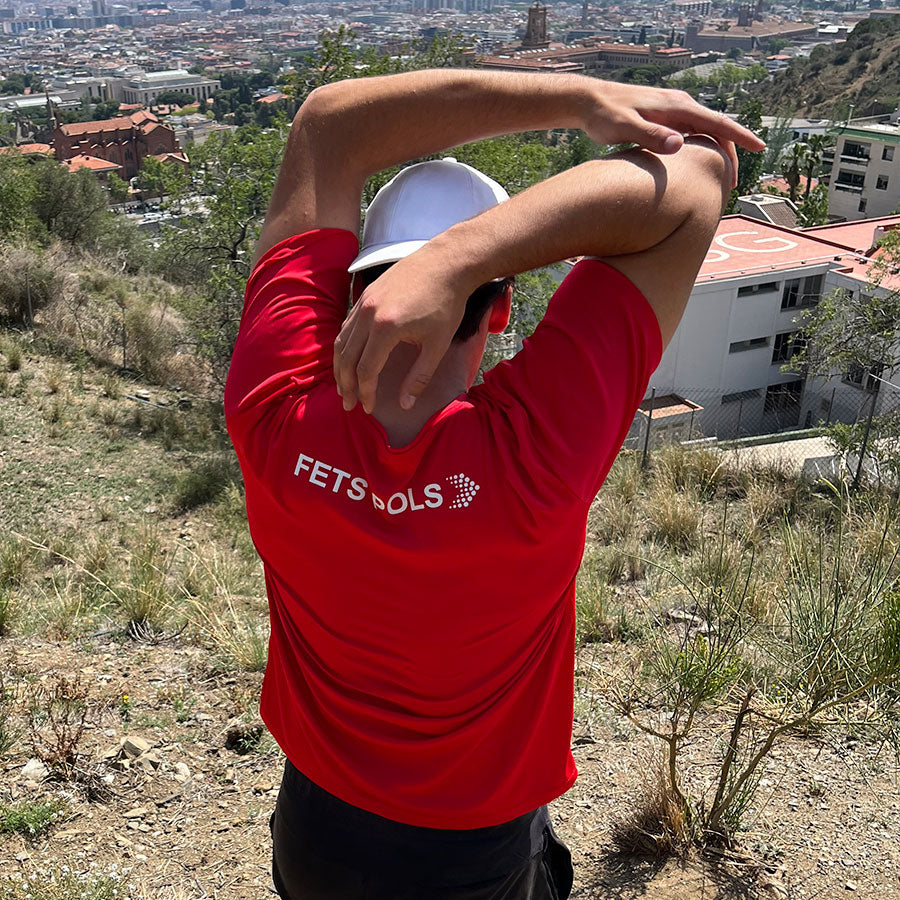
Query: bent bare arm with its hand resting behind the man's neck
point(651, 217)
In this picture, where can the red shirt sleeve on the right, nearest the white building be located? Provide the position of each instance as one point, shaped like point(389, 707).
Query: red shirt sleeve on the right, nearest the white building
point(574, 387)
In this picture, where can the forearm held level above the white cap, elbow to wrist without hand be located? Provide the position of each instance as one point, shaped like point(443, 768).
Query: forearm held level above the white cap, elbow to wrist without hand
point(374, 123)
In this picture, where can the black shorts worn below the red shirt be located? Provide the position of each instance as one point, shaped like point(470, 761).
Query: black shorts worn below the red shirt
point(326, 849)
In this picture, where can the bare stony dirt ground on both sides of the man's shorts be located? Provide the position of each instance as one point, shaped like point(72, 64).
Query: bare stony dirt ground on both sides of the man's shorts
point(827, 821)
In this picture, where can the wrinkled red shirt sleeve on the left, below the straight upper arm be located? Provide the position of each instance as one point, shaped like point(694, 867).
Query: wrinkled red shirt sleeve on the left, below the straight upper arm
point(294, 304)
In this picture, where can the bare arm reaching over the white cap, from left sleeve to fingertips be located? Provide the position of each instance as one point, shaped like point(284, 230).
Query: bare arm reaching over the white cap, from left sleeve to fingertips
point(347, 131)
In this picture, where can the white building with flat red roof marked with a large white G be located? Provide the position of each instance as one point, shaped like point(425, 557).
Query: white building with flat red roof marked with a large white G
point(722, 372)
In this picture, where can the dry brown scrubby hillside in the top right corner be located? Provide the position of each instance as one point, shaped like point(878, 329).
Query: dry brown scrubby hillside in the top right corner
point(863, 71)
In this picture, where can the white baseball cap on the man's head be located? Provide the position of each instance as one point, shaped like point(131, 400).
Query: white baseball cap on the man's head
point(419, 202)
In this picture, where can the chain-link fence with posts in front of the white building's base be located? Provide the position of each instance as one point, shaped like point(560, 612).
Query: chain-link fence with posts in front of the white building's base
point(786, 423)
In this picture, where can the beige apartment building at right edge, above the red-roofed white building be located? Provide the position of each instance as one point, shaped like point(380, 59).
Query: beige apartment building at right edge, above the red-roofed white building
point(865, 170)
